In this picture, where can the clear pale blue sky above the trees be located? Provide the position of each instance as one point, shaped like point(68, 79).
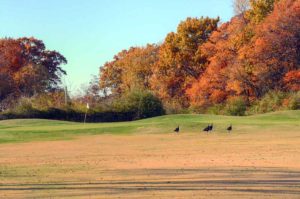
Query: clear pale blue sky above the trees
point(90, 32)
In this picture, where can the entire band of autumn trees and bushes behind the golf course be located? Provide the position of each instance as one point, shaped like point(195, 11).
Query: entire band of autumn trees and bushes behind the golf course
point(250, 62)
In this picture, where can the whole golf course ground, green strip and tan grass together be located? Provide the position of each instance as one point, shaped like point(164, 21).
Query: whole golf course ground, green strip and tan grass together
point(146, 159)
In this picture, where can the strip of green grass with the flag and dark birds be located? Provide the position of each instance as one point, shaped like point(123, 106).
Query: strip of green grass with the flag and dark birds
point(28, 130)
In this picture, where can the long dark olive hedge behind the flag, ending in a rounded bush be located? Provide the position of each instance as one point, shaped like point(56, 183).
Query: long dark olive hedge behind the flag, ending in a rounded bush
point(133, 105)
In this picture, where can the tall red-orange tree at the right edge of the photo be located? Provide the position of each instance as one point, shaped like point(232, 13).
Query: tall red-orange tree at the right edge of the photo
point(274, 51)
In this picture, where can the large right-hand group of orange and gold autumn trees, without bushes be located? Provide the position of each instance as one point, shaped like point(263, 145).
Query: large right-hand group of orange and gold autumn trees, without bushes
point(206, 62)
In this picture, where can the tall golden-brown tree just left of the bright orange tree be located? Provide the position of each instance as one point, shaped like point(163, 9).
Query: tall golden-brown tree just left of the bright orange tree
point(180, 59)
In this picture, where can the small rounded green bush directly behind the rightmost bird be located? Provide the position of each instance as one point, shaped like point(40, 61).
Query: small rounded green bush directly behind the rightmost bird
point(236, 106)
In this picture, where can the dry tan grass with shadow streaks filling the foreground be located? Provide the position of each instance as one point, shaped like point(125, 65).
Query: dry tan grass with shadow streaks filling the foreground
point(260, 165)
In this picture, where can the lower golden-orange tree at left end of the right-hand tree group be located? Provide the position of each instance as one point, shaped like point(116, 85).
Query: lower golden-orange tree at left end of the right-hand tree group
point(130, 69)
